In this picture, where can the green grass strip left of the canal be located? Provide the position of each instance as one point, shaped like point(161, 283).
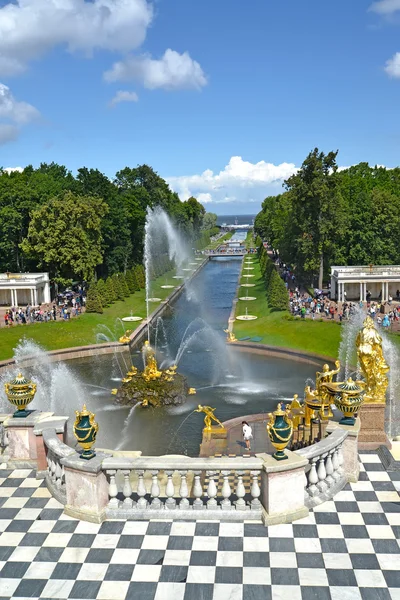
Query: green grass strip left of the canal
point(81, 331)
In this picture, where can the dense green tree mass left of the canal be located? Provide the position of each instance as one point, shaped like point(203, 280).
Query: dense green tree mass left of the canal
point(86, 226)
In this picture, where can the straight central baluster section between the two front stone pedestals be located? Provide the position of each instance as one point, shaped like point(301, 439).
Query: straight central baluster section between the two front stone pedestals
point(147, 487)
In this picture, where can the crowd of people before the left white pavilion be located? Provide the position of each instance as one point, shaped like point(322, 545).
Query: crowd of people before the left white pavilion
point(65, 307)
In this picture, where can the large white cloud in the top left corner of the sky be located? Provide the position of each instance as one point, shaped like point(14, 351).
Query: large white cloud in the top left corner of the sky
point(30, 28)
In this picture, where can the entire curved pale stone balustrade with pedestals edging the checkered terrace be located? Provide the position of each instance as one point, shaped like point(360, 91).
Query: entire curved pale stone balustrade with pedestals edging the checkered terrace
point(179, 487)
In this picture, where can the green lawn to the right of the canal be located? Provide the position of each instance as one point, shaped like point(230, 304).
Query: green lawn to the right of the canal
point(275, 329)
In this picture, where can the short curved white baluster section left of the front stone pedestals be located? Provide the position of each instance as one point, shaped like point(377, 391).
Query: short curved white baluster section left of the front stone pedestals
point(56, 450)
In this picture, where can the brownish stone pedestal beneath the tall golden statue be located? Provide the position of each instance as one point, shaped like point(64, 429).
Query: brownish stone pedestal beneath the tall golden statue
point(372, 433)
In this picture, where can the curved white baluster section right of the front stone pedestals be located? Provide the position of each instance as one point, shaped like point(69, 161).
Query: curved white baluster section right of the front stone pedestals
point(325, 474)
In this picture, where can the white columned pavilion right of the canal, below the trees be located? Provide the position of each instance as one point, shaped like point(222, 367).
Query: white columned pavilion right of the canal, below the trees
point(381, 281)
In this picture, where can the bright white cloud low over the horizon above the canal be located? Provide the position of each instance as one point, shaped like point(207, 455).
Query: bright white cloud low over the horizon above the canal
point(239, 181)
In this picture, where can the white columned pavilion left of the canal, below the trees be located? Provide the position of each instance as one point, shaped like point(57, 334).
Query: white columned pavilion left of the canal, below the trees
point(20, 289)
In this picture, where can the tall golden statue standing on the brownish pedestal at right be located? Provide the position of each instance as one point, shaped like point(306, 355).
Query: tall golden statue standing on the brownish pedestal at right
point(372, 362)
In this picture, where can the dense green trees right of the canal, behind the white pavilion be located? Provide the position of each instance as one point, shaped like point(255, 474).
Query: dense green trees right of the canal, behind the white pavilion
point(327, 216)
